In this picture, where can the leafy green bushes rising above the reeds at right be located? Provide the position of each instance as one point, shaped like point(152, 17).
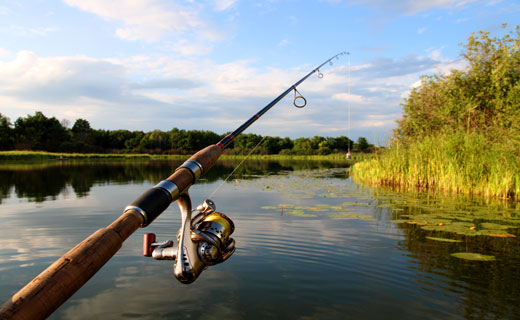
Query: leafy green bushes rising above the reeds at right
point(484, 98)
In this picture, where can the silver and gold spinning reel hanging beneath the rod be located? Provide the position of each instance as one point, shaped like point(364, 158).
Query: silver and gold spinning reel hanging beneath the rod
point(203, 240)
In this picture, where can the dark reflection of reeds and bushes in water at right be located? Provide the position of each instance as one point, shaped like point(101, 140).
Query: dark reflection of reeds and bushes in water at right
point(487, 289)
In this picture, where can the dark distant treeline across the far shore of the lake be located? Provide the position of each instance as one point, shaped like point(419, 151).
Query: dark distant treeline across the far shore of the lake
point(38, 132)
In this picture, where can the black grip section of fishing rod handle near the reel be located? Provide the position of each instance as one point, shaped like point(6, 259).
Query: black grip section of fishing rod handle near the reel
point(152, 203)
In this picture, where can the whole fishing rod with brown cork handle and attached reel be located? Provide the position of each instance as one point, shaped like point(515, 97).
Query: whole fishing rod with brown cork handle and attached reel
point(203, 239)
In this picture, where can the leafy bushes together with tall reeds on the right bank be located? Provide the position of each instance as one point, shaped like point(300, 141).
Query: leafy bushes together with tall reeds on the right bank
point(460, 132)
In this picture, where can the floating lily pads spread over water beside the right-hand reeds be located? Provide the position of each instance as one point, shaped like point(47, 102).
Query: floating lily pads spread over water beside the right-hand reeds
point(440, 217)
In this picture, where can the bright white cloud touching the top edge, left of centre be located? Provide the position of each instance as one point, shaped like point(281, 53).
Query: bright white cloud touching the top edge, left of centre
point(146, 20)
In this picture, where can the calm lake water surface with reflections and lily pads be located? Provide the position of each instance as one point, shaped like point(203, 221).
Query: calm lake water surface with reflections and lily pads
point(311, 244)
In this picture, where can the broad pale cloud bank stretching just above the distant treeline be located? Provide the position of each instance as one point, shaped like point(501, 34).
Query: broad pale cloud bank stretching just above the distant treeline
point(161, 92)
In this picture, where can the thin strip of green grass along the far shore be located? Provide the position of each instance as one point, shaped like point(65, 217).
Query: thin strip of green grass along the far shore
point(43, 155)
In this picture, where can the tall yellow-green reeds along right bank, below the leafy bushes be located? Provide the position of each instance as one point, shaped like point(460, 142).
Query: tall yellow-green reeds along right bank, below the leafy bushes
point(459, 163)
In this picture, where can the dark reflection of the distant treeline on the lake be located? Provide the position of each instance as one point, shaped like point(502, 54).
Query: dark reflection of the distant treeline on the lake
point(46, 180)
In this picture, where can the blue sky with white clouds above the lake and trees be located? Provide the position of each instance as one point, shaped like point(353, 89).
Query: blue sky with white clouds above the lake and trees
point(212, 64)
